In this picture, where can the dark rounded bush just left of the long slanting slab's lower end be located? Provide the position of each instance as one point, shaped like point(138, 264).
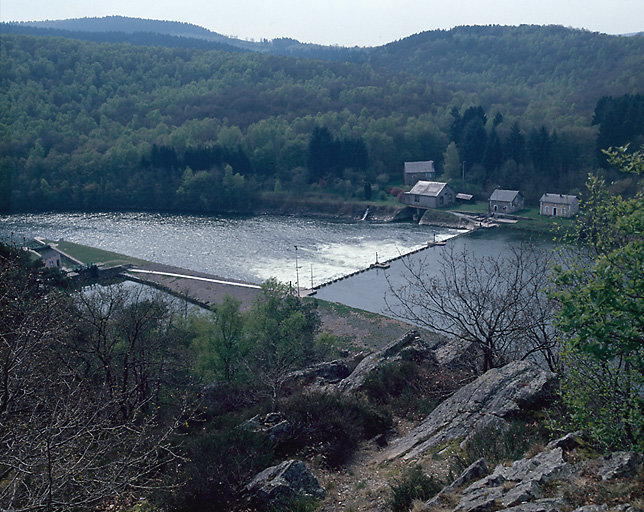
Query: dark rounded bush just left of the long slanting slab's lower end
point(330, 425)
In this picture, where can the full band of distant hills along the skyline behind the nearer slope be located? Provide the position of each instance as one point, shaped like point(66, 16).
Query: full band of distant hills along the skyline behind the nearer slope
point(550, 71)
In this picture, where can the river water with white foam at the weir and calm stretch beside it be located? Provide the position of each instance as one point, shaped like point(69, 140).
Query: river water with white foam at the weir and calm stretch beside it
point(256, 248)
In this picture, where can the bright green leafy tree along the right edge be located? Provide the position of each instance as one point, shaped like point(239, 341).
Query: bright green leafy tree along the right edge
point(601, 297)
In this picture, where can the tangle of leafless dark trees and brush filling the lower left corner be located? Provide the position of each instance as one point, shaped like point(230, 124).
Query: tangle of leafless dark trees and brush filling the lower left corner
point(65, 442)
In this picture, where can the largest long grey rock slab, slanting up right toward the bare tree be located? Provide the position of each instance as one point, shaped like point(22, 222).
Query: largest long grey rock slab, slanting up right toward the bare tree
point(499, 393)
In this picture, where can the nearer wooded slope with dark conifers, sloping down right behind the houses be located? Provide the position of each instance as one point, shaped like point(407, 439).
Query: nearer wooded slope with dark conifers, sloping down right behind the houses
point(115, 126)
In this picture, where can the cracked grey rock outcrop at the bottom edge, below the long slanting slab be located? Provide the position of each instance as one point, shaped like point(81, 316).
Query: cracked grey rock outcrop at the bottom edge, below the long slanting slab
point(513, 486)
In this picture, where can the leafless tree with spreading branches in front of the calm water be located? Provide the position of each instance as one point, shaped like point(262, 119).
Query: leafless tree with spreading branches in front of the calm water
point(497, 303)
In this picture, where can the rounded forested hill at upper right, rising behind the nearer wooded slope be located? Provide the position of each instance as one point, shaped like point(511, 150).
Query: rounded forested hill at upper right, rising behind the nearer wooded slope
point(506, 65)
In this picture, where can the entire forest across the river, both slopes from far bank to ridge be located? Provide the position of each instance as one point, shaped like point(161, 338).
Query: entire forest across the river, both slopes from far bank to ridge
point(113, 125)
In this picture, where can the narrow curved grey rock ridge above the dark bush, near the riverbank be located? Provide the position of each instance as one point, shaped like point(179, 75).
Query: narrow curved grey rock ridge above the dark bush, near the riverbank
point(410, 346)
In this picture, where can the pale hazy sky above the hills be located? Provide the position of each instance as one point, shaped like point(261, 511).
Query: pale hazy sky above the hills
point(344, 22)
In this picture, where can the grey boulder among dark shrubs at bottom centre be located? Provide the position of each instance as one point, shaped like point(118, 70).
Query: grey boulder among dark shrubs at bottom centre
point(277, 485)
